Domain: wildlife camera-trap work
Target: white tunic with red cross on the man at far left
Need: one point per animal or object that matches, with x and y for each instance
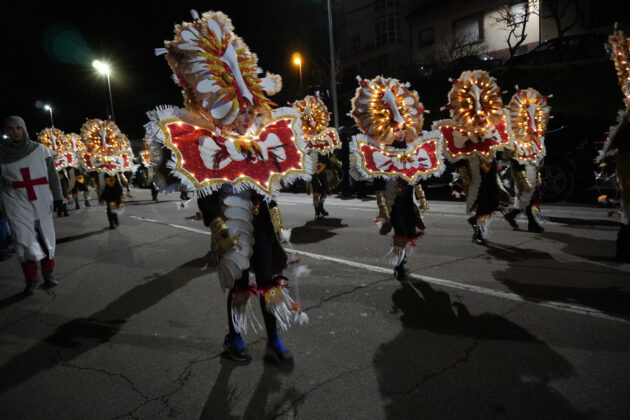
(28, 204)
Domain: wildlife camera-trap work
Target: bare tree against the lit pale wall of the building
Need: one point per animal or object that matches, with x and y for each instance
(513, 18)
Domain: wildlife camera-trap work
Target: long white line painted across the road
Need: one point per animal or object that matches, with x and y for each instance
(561, 306)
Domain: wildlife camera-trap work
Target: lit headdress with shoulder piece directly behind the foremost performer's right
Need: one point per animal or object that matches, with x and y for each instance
(314, 120)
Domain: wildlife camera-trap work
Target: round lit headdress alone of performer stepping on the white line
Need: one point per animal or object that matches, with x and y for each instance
(381, 104)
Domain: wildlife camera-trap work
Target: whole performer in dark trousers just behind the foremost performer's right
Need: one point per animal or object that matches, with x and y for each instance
(321, 141)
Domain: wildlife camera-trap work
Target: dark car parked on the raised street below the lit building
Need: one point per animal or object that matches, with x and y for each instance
(569, 48)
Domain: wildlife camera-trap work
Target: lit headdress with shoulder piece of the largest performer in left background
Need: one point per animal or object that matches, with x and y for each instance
(107, 149)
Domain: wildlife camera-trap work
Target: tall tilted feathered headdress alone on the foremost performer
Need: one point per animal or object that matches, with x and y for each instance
(217, 71)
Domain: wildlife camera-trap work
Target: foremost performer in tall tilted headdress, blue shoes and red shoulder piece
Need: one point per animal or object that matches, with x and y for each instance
(235, 168)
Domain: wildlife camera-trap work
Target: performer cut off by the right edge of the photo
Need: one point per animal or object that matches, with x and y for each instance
(618, 142)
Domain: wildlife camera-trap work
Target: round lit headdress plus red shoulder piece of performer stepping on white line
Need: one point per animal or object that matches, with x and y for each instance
(379, 107)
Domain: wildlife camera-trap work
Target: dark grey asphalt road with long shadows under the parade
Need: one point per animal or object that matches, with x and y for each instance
(533, 326)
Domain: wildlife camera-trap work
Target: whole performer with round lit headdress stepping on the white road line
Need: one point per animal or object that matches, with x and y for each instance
(394, 152)
